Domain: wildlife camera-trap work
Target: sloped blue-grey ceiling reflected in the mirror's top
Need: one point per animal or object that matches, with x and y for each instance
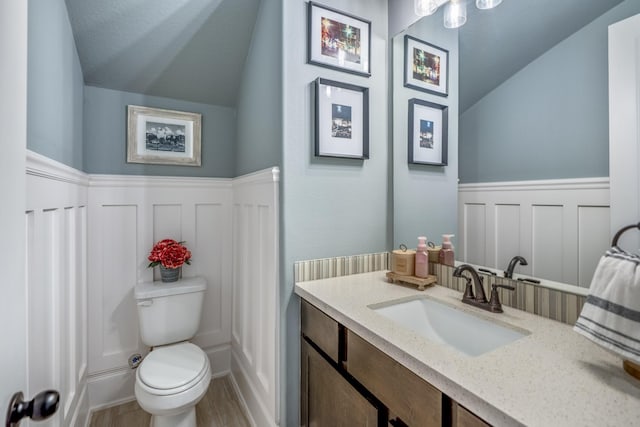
(495, 44)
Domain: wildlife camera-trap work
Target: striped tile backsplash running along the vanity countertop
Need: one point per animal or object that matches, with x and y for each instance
(553, 304)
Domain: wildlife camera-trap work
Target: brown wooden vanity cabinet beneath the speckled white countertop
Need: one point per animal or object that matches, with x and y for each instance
(346, 381)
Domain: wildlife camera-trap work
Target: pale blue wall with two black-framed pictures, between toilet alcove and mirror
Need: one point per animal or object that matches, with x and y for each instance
(331, 207)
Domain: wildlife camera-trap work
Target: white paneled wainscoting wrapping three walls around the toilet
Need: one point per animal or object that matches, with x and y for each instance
(88, 238)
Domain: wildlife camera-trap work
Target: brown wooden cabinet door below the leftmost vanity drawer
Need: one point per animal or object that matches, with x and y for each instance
(327, 399)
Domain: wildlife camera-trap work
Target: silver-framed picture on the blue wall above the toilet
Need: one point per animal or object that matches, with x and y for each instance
(163, 137)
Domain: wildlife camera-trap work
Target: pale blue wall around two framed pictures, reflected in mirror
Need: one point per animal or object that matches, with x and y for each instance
(424, 197)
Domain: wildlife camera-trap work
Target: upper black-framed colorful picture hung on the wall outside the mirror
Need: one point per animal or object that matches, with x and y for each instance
(338, 40)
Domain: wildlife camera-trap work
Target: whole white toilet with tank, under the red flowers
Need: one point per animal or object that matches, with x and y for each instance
(175, 375)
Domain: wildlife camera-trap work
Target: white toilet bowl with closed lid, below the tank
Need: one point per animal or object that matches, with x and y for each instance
(170, 381)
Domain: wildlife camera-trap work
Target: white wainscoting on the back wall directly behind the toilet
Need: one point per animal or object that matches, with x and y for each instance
(127, 214)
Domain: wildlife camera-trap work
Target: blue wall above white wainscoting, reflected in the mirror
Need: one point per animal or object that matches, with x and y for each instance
(551, 119)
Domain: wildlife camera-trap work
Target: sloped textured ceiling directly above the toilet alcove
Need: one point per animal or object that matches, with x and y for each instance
(192, 50)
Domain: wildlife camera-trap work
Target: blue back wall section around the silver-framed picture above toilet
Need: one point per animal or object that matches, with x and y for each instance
(105, 135)
